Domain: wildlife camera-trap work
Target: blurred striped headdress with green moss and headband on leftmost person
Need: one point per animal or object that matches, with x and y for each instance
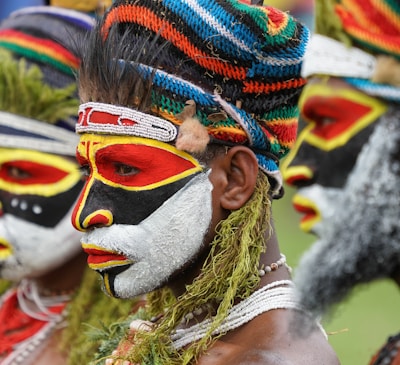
(45, 38)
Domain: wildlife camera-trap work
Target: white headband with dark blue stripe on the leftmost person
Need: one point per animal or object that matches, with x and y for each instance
(21, 132)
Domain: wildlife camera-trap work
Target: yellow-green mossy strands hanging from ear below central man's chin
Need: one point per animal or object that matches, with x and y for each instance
(229, 273)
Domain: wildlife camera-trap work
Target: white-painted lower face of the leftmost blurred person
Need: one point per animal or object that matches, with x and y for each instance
(28, 250)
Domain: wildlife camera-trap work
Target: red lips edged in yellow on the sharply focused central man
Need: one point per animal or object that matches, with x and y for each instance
(101, 259)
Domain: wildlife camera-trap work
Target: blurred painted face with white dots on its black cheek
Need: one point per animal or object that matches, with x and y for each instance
(36, 193)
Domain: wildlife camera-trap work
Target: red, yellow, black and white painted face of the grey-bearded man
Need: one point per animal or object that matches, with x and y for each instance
(339, 120)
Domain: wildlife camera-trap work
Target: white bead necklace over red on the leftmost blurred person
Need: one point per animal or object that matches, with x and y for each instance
(28, 291)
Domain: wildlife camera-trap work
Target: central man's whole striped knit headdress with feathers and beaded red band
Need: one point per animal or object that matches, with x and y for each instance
(221, 72)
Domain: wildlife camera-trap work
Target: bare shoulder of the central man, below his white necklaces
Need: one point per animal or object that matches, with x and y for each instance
(279, 337)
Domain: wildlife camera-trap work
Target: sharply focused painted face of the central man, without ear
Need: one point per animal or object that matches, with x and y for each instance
(148, 241)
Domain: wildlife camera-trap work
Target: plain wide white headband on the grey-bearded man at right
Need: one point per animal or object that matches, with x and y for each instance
(327, 56)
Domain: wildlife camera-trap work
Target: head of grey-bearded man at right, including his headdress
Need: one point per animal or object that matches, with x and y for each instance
(345, 163)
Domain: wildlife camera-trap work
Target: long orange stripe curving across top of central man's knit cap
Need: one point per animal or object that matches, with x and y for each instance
(145, 17)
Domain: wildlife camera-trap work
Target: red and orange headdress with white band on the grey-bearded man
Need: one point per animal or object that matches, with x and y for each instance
(359, 41)
